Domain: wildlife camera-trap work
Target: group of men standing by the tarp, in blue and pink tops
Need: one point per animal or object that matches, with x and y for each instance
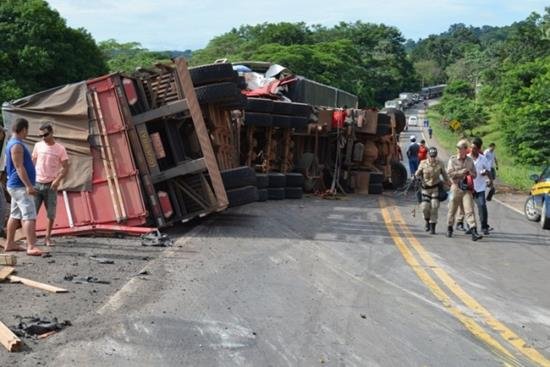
(32, 180)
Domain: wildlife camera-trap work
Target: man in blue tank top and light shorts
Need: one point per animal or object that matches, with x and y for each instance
(21, 181)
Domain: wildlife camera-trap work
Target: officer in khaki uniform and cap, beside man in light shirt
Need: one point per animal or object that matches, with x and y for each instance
(461, 169)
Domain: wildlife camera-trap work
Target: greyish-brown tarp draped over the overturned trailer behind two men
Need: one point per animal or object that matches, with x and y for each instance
(67, 108)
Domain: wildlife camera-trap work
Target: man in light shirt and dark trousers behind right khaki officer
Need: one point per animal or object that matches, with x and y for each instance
(483, 170)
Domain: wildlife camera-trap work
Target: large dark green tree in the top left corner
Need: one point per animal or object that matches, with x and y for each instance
(38, 50)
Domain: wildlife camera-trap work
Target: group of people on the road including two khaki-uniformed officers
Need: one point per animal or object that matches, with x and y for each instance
(469, 174)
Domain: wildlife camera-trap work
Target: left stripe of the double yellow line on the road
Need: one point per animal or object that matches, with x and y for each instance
(440, 294)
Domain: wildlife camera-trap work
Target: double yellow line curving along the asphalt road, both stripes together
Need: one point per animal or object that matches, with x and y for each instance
(393, 220)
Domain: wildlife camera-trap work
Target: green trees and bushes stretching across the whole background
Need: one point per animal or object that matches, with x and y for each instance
(498, 77)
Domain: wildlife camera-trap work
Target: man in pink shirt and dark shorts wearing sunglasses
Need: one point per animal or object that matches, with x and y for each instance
(51, 162)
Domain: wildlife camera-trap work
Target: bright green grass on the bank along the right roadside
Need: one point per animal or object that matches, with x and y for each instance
(509, 173)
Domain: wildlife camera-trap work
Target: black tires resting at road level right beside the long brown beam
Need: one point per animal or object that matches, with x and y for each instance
(240, 185)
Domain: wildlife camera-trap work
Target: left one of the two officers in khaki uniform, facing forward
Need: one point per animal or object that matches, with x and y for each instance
(430, 172)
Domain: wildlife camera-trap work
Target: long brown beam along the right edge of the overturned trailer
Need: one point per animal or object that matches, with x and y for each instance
(202, 133)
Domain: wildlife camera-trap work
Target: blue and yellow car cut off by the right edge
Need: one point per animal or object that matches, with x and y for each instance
(537, 205)
